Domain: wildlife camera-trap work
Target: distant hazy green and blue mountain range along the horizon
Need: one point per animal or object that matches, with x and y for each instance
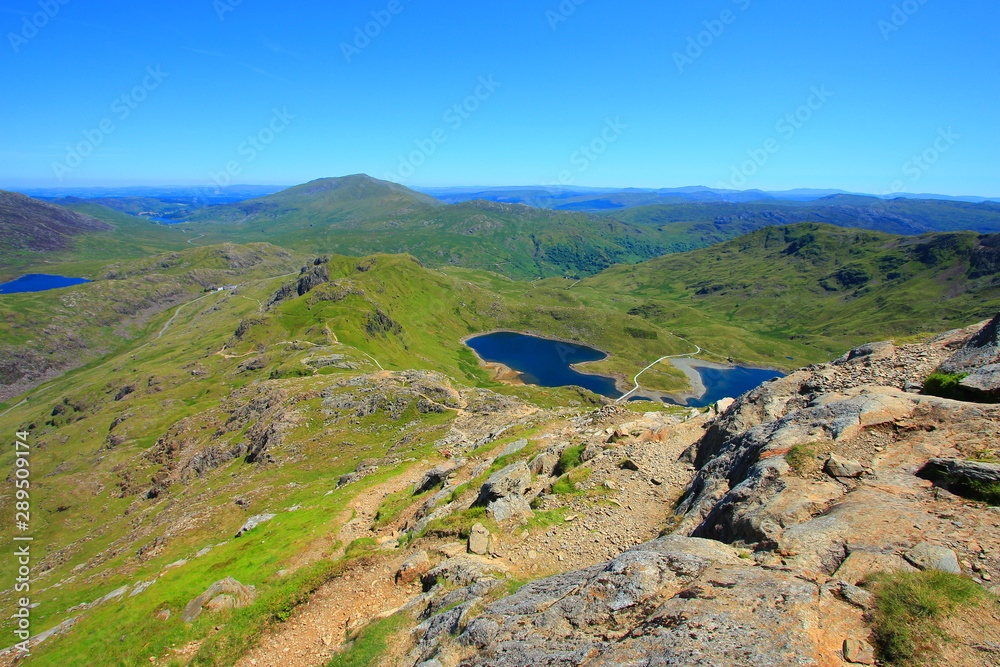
(580, 236)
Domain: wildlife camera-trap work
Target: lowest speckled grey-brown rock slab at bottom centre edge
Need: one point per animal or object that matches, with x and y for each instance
(682, 600)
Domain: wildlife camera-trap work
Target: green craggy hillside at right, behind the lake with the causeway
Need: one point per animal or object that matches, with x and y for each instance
(816, 283)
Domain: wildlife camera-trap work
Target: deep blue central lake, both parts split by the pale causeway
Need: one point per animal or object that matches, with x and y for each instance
(546, 363)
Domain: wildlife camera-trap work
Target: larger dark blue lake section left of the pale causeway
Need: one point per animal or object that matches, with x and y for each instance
(543, 362)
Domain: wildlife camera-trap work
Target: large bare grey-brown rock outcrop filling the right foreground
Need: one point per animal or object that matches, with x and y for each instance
(802, 489)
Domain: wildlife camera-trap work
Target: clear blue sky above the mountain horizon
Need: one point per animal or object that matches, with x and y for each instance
(862, 95)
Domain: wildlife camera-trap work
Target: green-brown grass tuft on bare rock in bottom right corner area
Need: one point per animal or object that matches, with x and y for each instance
(910, 607)
